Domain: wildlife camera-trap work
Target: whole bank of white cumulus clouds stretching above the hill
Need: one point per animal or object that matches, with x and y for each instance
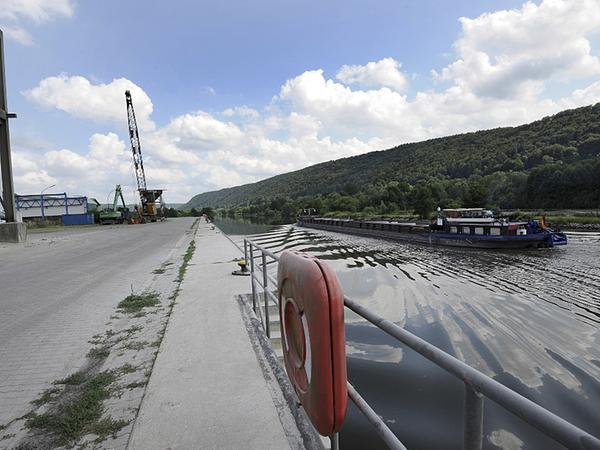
(504, 63)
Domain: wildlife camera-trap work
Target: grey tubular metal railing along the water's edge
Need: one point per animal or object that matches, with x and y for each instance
(477, 385)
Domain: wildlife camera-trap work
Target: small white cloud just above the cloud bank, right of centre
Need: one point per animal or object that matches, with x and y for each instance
(385, 72)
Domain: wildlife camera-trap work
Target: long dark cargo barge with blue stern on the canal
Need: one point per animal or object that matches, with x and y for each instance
(463, 227)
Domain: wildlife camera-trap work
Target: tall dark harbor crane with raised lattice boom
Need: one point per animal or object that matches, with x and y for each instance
(148, 197)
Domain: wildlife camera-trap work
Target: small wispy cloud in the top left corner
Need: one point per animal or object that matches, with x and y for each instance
(14, 12)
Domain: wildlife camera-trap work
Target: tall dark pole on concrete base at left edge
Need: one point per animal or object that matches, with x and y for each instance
(10, 231)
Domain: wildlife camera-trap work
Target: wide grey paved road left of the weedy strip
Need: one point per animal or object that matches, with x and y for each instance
(59, 289)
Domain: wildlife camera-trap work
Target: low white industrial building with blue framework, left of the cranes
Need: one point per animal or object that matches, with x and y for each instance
(55, 208)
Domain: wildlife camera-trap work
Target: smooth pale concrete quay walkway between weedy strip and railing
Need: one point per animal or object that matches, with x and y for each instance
(207, 388)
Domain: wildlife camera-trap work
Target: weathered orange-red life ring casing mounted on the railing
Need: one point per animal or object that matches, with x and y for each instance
(311, 311)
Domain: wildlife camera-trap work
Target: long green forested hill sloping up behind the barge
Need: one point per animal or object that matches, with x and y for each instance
(550, 162)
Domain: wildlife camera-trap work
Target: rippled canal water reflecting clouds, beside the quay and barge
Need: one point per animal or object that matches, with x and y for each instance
(529, 319)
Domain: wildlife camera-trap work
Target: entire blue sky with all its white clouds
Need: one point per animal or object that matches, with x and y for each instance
(233, 92)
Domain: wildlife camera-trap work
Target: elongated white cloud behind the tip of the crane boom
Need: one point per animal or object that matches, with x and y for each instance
(77, 96)
